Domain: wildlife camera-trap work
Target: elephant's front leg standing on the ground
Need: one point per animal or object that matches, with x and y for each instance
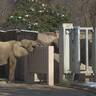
(12, 67)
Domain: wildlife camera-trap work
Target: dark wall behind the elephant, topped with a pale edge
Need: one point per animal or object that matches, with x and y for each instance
(15, 34)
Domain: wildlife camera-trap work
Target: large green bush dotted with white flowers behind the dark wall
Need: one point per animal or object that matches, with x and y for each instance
(38, 15)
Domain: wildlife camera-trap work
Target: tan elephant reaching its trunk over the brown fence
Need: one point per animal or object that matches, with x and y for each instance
(11, 50)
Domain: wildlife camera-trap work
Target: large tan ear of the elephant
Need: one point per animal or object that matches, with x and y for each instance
(18, 50)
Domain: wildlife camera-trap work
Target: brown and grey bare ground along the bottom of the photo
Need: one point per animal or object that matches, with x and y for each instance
(39, 90)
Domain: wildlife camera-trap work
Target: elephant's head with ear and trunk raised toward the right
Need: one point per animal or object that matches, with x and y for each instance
(23, 47)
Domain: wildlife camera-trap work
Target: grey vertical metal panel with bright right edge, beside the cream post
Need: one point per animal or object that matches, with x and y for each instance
(75, 52)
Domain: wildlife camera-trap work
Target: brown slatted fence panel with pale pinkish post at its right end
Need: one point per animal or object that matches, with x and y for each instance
(41, 62)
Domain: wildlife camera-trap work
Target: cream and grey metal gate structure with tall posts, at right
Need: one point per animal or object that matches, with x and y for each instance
(70, 49)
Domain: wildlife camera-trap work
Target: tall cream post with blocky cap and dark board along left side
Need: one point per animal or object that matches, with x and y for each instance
(64, 50)
